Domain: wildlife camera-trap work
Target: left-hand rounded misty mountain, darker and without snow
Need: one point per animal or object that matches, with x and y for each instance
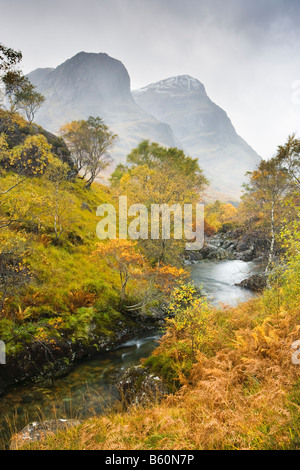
(97, 85)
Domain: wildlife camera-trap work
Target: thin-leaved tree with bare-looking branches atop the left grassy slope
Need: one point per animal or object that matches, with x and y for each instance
(89, 143)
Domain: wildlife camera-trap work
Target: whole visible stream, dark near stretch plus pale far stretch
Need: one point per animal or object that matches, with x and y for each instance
(90, 387)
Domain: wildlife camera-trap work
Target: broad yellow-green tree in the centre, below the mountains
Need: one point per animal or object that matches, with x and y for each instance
(166, 178)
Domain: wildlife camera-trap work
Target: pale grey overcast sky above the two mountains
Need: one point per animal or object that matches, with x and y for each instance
(245, 52)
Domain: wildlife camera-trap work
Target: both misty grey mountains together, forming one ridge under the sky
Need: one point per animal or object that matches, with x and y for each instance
(173, 112)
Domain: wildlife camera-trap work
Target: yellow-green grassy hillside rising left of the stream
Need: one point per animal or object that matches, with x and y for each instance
(57, 298)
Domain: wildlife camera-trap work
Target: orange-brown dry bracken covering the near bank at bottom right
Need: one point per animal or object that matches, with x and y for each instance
(236, 399)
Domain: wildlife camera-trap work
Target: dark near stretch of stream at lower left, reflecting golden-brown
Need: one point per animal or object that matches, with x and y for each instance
(88, 390)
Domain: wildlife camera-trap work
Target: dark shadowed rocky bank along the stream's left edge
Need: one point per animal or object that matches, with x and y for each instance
(40, 363)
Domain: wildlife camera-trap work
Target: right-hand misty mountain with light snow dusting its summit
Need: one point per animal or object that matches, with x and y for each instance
(203, 129)
